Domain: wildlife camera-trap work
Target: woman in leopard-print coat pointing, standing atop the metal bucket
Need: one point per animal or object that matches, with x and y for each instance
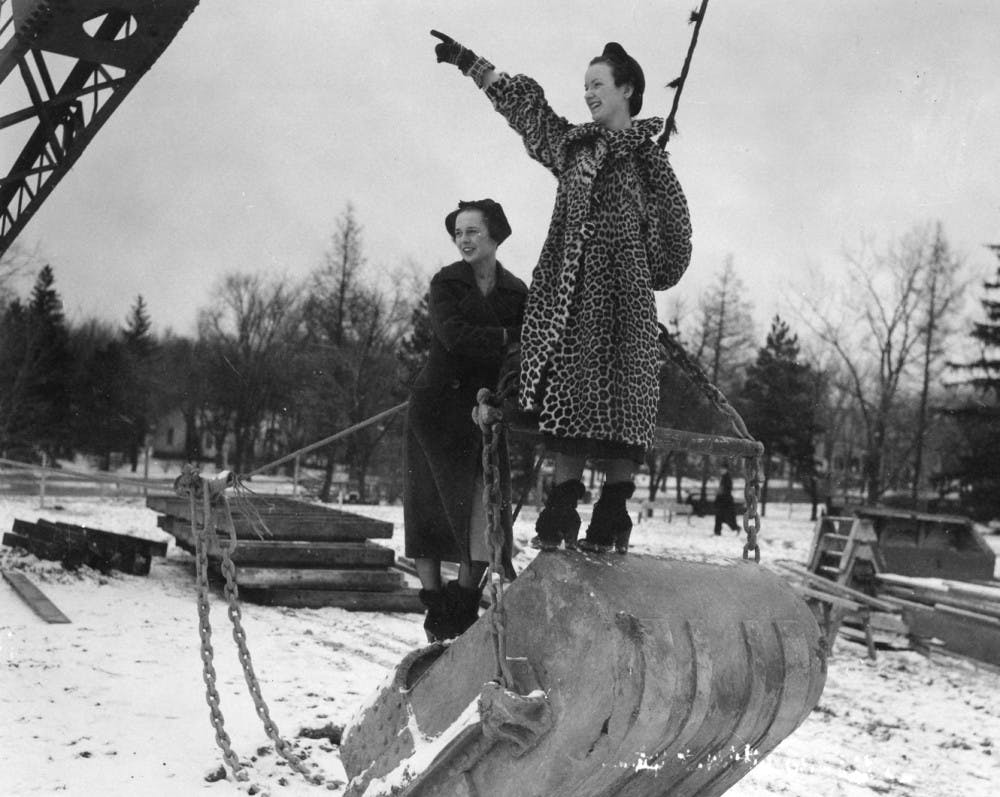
(620, 230)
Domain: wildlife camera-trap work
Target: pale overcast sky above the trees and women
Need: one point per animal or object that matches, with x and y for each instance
(804, 125)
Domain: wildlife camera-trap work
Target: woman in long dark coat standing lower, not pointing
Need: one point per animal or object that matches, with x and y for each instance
(476, 309)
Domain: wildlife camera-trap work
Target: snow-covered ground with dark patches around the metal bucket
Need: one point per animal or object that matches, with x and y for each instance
(114, 702)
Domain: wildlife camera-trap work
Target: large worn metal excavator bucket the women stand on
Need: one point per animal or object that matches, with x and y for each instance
(633, 675)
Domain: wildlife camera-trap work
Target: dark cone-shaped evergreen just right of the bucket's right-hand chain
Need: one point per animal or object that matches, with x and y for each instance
(777, 404)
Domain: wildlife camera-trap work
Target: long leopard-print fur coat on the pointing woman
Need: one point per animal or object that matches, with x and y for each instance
(620, 230)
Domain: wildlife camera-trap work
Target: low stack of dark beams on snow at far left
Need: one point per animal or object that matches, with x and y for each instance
(74, 546)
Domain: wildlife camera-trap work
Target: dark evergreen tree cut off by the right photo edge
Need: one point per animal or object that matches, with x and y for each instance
(978, 417)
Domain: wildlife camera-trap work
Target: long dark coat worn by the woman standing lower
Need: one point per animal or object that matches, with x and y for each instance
(443, 446)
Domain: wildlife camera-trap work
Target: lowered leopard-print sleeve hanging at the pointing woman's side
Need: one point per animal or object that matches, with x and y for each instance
(669, 233)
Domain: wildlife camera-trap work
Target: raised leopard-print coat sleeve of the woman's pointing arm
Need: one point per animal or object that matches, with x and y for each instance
(521, 101)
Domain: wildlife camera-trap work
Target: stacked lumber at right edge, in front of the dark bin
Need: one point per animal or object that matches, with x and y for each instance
(956, 616)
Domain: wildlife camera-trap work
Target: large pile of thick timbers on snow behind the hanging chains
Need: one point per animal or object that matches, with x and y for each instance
(310, 556)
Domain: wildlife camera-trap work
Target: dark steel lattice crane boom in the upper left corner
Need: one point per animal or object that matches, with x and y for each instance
(77, 61)
